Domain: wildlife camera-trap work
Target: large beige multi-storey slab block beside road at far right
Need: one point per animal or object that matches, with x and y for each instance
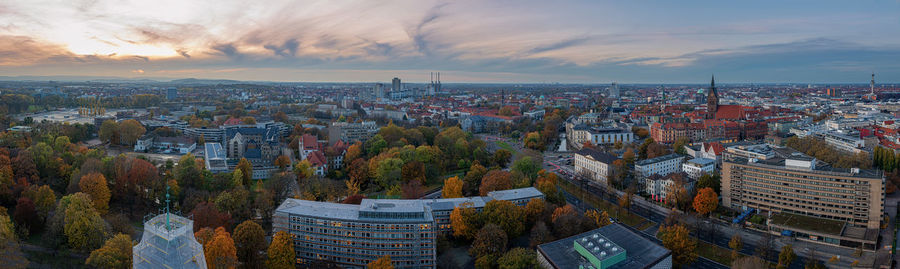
(807, 199)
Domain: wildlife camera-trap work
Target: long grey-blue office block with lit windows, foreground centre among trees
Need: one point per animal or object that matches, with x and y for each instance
(351, 236)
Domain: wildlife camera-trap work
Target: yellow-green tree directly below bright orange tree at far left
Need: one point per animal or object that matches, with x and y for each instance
(84, 229)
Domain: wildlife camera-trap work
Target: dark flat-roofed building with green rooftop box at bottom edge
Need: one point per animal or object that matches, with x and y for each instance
(612, 246)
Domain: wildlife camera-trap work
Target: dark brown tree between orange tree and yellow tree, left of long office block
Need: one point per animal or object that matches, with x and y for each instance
(250, 241)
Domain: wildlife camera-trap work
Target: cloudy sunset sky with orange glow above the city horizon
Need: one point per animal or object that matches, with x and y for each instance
(466, 40)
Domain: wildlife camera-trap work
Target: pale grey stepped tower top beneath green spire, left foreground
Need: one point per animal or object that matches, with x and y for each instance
(168, 242)
